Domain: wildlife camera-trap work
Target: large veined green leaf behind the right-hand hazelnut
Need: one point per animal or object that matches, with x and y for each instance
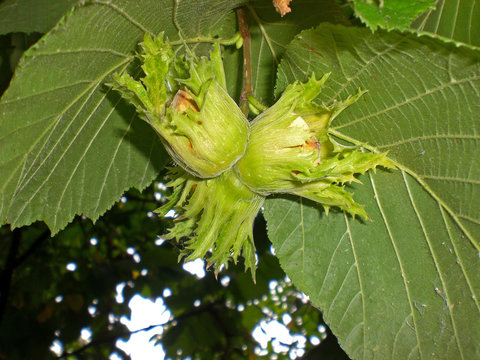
(406, 285)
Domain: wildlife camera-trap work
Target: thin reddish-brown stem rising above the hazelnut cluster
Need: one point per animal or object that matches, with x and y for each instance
(247, 60)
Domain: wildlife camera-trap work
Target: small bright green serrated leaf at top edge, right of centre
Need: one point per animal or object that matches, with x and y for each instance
(391, 14)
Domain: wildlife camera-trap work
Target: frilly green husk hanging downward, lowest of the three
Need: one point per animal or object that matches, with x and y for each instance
(214, 215)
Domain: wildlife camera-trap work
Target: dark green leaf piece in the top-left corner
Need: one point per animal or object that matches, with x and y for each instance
(31, 15)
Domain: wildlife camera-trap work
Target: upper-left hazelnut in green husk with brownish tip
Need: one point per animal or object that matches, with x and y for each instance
(183, 97)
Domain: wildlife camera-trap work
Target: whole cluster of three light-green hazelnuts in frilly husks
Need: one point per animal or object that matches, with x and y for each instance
(226, 165)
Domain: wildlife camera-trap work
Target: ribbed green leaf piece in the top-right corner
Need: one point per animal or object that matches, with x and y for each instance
(453, 19)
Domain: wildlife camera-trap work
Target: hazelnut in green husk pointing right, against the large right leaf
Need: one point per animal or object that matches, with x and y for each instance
(290, 150)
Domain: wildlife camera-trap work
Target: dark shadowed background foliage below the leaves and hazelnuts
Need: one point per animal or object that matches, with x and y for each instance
(34, 275)
